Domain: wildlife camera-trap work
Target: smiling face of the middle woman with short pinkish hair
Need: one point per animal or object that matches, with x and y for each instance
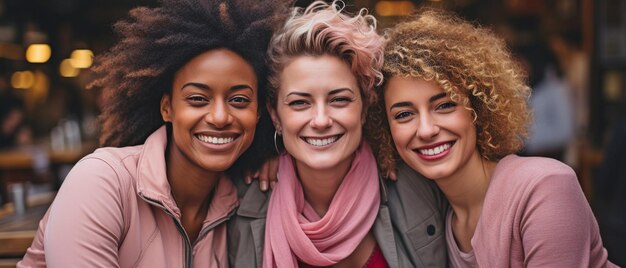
(319, 112)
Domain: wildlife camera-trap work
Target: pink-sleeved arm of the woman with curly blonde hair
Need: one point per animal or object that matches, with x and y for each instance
(558, 228)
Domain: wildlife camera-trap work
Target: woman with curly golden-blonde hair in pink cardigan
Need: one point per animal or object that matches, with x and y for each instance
(456, 107)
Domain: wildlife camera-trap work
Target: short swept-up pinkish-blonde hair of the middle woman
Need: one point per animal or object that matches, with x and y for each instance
(322, 29)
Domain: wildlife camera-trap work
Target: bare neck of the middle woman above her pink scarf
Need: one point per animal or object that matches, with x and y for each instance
(320, 185)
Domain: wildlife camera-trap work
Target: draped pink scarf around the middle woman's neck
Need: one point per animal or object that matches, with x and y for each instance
(295, 232)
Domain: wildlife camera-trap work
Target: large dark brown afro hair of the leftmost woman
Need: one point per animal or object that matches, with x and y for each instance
(156, 42)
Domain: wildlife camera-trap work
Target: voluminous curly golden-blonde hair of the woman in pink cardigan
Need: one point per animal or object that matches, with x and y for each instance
(469, 63)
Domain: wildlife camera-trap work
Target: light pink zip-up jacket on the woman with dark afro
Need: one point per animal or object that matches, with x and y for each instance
(115, 209)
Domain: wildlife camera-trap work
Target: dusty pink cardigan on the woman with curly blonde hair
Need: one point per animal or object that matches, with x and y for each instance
(535, 215)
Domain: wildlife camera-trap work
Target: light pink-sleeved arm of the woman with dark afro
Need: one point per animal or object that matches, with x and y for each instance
(85, 223)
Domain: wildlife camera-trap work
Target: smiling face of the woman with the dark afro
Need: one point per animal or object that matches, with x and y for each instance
(213, 110)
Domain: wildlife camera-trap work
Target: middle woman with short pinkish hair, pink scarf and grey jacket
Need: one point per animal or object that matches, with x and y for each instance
(329, 207)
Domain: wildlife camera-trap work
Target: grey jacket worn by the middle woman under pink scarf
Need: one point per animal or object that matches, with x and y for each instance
(409, 227)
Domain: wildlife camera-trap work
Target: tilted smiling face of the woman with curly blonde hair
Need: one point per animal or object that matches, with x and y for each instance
(433, 135)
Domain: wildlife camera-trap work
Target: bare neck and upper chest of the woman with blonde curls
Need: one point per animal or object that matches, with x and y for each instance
(466, 188)
